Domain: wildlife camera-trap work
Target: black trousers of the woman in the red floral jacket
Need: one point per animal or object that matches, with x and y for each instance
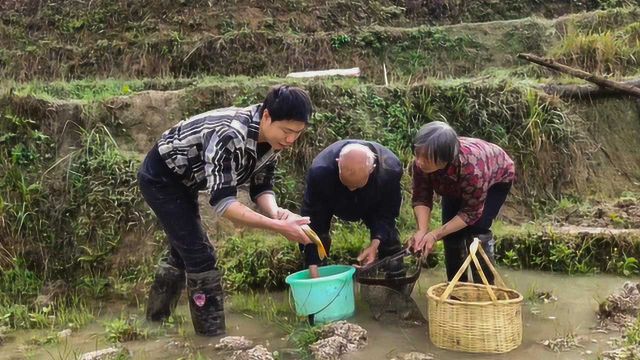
(456, 245)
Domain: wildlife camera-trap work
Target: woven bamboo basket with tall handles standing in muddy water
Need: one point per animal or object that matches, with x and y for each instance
(479, 318)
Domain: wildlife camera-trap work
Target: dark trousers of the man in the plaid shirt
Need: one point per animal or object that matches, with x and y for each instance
(176, 207)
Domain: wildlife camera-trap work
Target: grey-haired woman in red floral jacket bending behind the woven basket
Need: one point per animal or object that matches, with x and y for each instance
(473, 178)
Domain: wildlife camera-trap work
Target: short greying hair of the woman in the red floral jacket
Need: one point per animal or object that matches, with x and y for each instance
(438, 142)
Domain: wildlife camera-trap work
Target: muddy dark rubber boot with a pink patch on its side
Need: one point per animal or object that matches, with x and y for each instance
(206, 303)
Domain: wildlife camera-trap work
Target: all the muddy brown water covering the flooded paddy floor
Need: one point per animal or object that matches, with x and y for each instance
(574, 312)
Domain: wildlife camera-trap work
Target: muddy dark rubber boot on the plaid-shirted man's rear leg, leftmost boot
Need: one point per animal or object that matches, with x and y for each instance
(165, 292)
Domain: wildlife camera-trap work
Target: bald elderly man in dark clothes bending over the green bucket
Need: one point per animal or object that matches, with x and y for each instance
(354, 180)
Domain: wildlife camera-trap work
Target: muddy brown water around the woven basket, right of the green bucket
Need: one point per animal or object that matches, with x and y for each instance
(574, 312)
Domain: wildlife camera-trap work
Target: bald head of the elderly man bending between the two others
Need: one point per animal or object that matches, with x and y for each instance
(355, 164)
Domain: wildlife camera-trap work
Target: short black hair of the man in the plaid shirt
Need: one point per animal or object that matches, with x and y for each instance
(287, 103)
